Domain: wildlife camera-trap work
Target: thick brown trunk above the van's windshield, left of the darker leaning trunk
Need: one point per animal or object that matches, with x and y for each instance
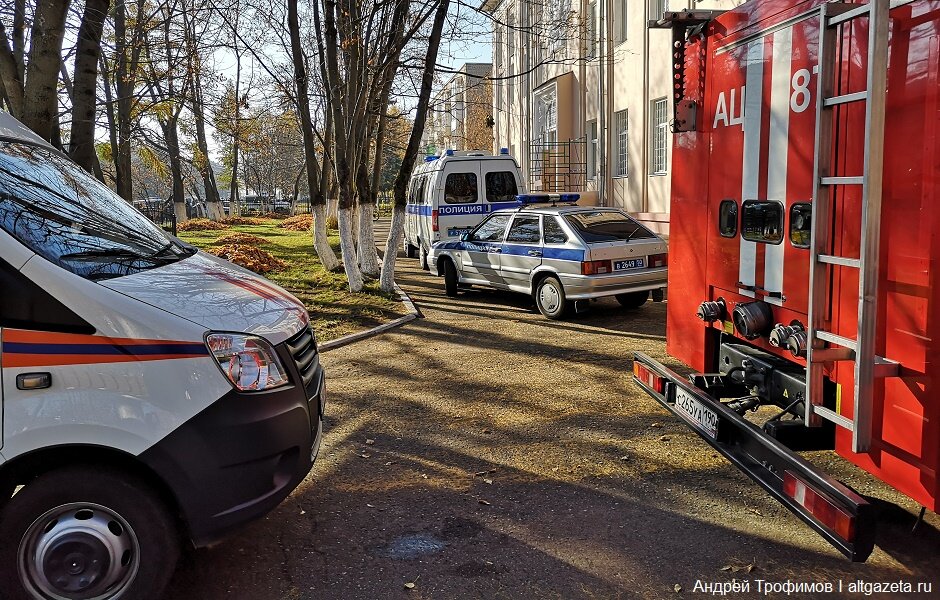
(40, 99)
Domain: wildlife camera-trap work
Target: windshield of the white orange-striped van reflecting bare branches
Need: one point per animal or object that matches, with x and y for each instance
(68, 217)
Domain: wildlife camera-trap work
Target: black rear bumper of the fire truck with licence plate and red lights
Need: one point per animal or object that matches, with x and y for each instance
(842, 517)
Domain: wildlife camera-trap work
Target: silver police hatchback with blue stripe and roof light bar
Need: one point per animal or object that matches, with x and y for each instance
(559, 254)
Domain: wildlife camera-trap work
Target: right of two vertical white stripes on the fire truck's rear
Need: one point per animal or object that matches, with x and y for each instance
(779, 146)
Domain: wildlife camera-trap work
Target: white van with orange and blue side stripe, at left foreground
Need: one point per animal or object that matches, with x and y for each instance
(151, 393)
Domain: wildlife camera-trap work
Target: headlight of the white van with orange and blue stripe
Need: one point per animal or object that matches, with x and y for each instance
(248, 361)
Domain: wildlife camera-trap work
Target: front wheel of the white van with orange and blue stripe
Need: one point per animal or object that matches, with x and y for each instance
(128, 512)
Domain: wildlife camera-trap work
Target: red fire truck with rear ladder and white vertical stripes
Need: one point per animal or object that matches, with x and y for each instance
(804, 225)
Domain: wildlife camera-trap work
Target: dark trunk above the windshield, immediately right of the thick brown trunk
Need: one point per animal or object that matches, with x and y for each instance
(85, 87)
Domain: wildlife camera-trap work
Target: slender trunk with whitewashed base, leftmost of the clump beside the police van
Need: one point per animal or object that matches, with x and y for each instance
(328, 257)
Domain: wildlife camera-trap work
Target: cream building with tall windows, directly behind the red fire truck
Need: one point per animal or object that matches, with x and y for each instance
(582, 97)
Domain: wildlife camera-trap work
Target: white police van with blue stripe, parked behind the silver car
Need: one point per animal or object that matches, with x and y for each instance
(449, 195)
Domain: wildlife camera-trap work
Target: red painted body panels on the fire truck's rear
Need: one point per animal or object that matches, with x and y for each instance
(713, 164)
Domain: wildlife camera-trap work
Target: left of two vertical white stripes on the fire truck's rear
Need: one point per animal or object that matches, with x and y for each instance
(754, 83)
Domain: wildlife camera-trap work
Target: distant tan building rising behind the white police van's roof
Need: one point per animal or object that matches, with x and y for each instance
(460, 116)
